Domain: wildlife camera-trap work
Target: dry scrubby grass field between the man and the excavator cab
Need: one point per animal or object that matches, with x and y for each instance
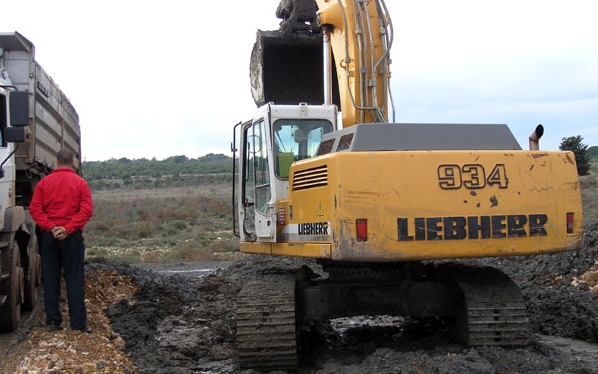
(162, 225)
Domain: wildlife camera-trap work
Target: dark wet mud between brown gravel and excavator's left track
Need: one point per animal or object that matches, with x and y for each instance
(178, 324)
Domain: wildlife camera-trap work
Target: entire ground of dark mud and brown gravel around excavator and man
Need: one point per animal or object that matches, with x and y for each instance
(181, 319)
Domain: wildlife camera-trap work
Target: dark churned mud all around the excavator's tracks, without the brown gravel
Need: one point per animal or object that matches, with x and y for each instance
(183, 321)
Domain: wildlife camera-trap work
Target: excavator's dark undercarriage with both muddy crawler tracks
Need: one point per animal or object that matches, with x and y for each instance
(485, 304)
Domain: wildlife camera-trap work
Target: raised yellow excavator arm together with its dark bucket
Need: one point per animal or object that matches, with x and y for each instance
(295, 65)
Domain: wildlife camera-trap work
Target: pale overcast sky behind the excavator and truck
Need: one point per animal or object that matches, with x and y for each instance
(164, 78)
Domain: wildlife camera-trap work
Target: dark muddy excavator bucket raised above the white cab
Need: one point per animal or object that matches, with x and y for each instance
(287, 68)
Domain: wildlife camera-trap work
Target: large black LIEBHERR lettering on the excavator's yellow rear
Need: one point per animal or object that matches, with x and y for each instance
(472, 227)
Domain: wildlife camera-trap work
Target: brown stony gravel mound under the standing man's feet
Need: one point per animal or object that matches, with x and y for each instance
(35, 349)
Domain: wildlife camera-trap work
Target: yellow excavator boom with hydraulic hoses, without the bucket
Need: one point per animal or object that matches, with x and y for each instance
(359, 34)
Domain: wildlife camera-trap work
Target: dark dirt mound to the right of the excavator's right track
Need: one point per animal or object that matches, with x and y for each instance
(557, 302)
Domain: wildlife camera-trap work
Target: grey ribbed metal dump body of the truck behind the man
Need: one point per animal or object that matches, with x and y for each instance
(53, 121)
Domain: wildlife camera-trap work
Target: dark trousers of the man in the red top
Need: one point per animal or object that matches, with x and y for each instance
(67, 255)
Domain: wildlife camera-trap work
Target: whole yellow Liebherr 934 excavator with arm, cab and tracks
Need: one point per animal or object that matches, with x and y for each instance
(379, 204)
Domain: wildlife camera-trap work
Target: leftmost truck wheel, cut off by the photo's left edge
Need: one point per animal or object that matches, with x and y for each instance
(12, 287)
